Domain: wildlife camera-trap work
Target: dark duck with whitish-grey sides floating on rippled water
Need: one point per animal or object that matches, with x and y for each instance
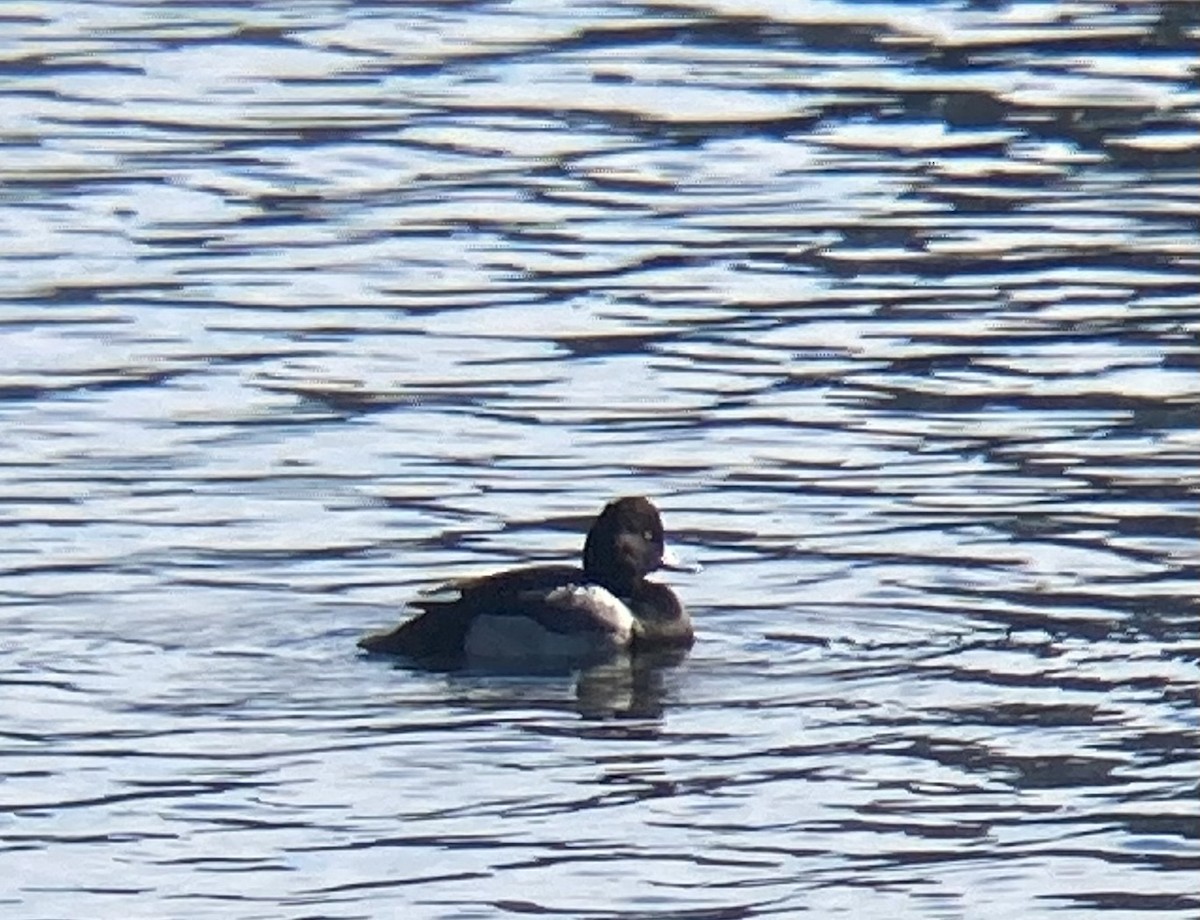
(561, 612)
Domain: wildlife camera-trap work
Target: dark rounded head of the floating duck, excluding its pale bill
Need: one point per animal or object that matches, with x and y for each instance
(625, 545)
